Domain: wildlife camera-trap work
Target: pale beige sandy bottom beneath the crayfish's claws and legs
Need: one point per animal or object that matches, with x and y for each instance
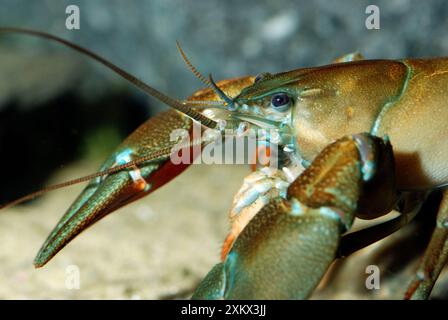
(157, 248)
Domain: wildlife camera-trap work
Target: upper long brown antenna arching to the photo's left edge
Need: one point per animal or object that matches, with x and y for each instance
(182, 107)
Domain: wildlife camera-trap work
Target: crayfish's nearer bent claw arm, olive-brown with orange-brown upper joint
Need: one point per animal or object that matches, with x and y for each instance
(286, 248)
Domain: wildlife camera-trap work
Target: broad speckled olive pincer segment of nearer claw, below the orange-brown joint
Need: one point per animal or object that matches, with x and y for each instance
(278, 249)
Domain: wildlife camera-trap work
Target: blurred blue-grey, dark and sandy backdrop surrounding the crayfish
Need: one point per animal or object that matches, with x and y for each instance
(62, 114)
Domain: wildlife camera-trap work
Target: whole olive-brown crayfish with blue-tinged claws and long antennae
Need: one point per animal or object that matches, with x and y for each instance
(355, 139)
